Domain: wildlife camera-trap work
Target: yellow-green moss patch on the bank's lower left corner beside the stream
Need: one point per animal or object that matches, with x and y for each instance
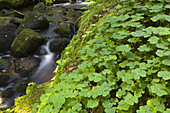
(24, 103)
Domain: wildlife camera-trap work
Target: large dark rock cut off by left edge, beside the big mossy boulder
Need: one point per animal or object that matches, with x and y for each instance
(7, 33)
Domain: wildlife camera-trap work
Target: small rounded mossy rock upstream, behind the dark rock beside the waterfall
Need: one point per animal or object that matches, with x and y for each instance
(63, 29)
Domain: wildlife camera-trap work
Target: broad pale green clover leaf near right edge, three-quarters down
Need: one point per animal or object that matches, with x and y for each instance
(159, 89)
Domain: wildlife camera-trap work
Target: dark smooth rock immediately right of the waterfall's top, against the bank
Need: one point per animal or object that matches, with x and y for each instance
(59, 44)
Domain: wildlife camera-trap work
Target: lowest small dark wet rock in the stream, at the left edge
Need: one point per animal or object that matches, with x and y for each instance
(7, 93)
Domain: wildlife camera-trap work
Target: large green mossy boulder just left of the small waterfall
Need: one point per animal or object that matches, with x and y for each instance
(26, 42)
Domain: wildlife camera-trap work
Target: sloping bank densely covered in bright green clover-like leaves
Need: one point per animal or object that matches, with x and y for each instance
(122, 64)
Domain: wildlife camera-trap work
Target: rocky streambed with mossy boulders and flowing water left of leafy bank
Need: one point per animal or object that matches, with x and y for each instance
(31, 40)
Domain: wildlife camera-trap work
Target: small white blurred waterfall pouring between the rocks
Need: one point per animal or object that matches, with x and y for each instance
(45, 72)
